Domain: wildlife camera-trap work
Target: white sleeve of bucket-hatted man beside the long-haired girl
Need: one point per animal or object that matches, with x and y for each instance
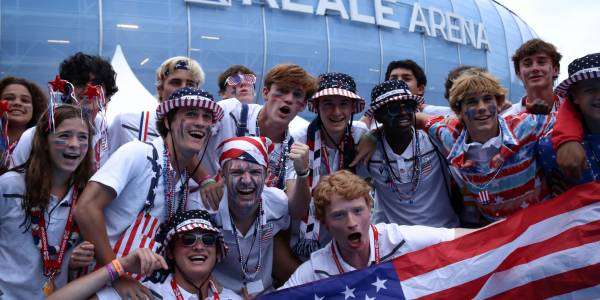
(124, 165)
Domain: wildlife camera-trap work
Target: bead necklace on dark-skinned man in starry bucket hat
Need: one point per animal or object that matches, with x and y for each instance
(395, 180)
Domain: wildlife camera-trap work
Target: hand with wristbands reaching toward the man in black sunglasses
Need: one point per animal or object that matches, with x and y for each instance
(143, 261)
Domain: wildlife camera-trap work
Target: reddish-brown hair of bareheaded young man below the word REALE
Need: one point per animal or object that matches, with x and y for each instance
(289, 76)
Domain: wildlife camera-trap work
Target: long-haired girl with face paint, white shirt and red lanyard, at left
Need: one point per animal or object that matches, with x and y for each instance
(37, 229)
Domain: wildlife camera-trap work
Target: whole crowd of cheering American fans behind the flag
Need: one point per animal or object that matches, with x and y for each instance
(230, 199)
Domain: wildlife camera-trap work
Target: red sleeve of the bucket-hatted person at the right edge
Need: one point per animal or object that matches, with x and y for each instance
(567, 127)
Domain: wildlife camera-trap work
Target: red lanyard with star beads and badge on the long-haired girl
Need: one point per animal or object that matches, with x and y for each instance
(53, 256)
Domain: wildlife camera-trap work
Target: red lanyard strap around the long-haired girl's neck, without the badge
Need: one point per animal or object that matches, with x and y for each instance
(52, 266)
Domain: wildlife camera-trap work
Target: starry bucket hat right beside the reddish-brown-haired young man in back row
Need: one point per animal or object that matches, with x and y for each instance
(336, 84)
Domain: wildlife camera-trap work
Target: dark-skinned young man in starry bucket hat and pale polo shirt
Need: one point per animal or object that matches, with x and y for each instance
(411, 184)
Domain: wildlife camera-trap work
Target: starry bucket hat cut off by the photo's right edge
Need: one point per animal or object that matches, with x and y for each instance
(583, 68)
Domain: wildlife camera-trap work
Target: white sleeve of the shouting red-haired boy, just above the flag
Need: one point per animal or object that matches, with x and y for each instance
(418, 237)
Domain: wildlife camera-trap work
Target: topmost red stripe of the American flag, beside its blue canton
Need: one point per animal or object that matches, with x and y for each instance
(428, 259)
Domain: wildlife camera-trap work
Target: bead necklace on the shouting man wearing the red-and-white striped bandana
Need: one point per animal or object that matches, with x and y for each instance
(246, 274)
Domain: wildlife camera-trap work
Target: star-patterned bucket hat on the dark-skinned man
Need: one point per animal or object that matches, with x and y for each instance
(390, 91)
